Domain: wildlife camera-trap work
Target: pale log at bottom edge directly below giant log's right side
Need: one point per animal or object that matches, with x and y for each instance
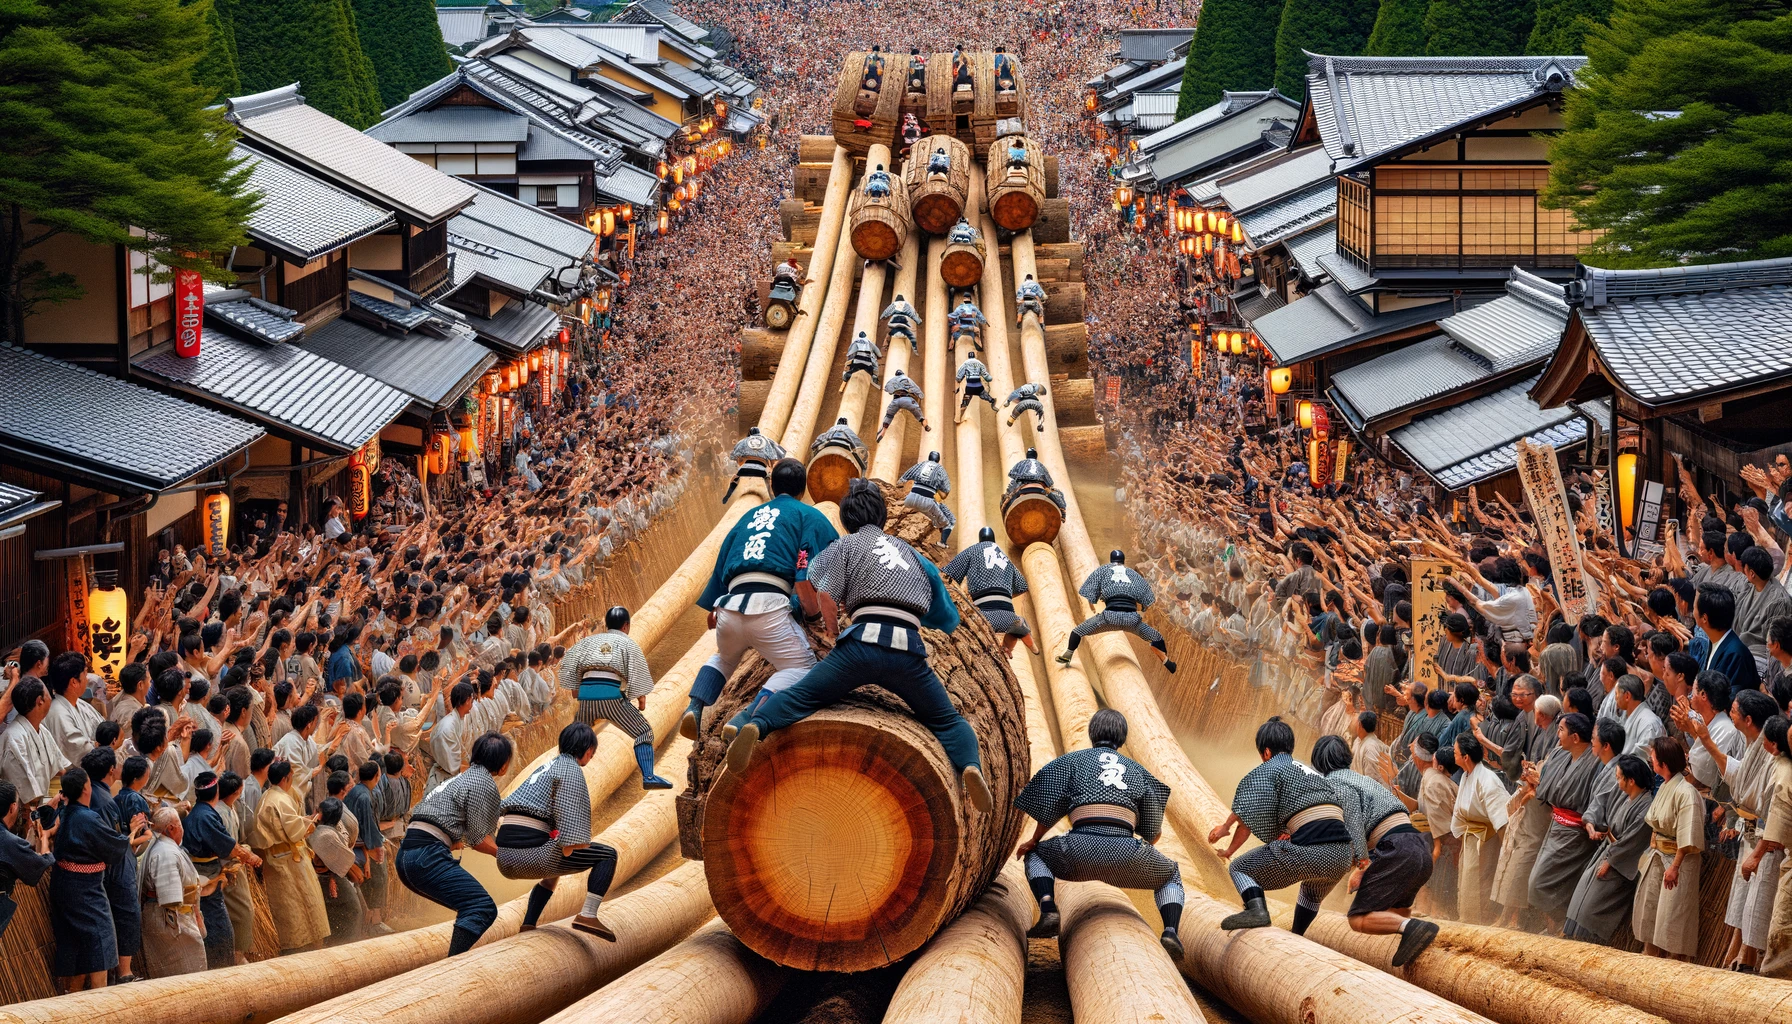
(976, 969)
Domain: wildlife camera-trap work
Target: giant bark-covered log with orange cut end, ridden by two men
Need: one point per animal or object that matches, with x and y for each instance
(847, 844)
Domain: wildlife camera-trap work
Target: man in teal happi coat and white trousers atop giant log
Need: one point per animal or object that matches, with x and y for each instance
(759, 582)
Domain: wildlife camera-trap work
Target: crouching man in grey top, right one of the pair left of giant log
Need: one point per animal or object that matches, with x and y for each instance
(546, 833)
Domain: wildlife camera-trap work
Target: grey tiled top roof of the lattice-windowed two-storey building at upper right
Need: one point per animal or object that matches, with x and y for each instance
(1370, 107)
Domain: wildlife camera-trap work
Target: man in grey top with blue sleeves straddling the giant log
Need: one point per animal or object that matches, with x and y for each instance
(892, 593)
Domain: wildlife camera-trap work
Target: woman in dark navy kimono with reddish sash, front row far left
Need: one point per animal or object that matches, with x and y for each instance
(87, 946)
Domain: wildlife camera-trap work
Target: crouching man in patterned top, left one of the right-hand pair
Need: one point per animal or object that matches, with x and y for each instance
(1309, 837)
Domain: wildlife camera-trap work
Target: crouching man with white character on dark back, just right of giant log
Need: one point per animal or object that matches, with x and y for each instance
(1108, 799)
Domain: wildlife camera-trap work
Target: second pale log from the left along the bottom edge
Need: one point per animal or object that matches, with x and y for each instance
(533, 975)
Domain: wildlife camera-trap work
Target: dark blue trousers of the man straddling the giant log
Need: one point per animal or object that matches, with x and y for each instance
(854, 664)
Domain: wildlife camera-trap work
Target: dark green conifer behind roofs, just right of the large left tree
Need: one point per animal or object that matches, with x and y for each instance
(314, 44)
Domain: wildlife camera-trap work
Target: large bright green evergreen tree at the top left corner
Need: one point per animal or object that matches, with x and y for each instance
(107, 130)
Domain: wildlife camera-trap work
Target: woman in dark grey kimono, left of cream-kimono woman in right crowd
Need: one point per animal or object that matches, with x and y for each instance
(1608, 881)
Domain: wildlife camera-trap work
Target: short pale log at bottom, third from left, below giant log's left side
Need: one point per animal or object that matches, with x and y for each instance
(705, 980)
